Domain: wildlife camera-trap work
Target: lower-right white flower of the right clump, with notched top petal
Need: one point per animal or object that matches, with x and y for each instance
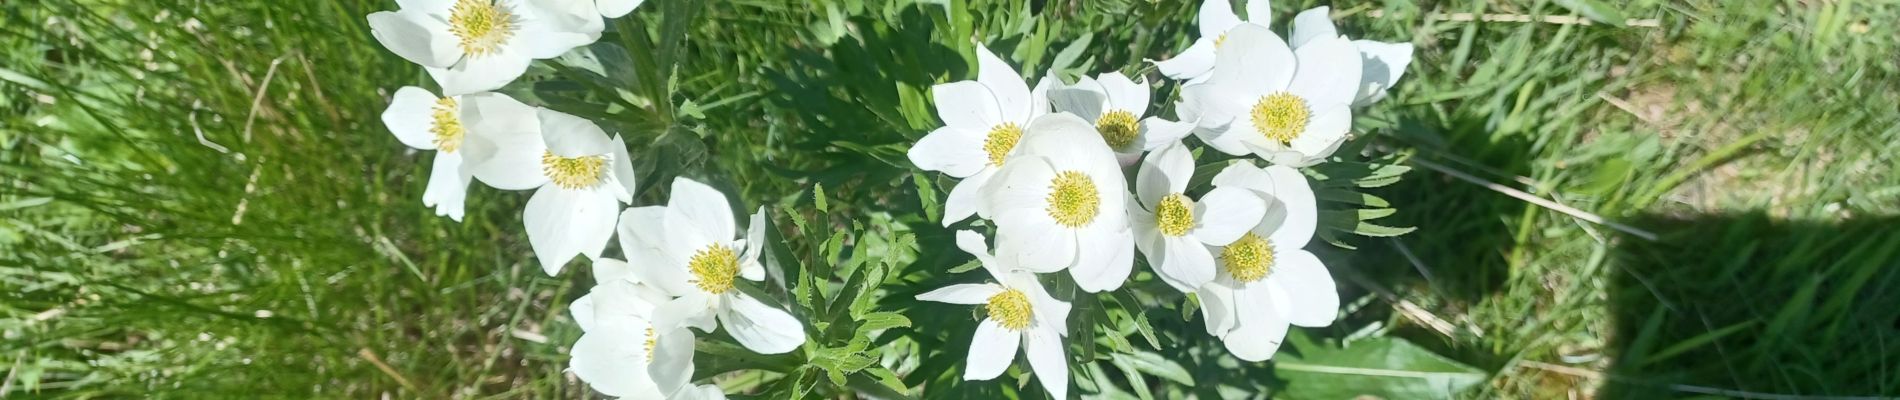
(1266, 280)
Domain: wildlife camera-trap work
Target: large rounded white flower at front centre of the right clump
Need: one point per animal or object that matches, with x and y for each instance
(1063, 204)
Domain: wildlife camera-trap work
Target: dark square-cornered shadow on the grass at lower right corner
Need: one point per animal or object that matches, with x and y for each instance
(1749, 306)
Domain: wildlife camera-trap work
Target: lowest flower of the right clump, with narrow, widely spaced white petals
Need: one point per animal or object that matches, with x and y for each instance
(1021, 316)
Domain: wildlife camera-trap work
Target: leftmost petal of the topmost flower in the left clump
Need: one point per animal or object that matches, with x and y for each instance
(415, 37)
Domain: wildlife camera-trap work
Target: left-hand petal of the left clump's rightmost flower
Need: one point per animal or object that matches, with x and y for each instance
(643, 240)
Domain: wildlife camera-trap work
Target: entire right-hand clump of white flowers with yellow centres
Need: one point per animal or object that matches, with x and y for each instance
(1055, 189)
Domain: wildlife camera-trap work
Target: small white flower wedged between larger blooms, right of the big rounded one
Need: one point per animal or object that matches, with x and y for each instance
(1173, 230)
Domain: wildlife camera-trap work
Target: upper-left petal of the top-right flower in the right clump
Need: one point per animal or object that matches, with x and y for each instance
(1255, 62)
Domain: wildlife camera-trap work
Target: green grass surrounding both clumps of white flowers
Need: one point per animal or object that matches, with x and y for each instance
(212, 209)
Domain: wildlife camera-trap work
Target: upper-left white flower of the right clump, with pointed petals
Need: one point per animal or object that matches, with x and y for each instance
(983, 124)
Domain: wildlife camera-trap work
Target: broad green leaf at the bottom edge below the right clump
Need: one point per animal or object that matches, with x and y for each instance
(1378, 367)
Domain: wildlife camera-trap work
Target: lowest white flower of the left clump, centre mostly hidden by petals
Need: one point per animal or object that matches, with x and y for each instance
(622, 354)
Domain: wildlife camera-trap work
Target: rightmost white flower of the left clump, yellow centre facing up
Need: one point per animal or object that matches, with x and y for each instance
(691, 249)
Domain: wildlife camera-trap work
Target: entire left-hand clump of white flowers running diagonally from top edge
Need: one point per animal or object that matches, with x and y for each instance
(685, 261)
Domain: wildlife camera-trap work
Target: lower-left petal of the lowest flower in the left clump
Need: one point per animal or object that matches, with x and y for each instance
(613, 363)
